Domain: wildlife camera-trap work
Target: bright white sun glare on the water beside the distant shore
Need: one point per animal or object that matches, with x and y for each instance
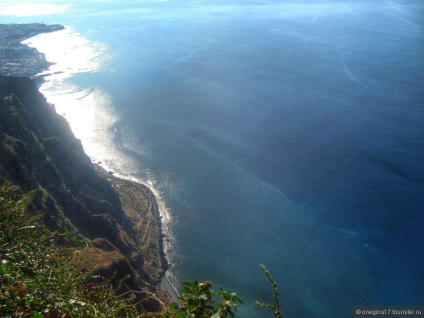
(85, 108)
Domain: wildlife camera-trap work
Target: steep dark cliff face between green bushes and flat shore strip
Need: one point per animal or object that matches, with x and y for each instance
(38, 152)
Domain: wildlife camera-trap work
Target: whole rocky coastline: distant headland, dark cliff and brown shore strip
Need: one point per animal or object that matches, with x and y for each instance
(40, 154)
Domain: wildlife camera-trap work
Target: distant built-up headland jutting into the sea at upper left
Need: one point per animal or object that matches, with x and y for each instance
(18, 59)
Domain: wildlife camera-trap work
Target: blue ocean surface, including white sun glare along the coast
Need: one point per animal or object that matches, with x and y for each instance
(283, 133)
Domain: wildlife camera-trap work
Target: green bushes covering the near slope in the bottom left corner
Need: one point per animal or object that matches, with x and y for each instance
(37, 278)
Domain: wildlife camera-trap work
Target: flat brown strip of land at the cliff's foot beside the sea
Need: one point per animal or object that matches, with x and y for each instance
(141, 207)
